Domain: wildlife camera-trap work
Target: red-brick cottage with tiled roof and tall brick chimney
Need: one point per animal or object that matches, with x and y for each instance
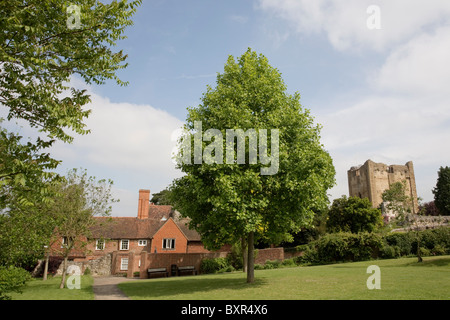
(129, 244)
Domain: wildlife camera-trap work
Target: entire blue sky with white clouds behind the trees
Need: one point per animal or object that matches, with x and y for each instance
(380, 94)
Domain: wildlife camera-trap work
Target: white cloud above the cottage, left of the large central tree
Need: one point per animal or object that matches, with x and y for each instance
(129, 143)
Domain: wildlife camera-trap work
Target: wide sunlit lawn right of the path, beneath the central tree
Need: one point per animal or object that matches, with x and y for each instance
(400, 279)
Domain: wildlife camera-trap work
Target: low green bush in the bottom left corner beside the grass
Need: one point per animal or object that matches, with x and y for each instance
(12, 279)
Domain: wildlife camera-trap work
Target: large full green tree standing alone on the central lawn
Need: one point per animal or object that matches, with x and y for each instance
(240, 193)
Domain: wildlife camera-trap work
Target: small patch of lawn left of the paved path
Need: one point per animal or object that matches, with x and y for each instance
(37, 289)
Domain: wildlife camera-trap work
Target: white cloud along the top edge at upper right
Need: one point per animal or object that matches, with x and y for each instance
(344, 22)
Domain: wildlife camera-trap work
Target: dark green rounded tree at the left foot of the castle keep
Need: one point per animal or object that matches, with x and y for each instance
(354, 215)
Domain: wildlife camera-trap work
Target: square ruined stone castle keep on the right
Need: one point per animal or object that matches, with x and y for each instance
(371, 179)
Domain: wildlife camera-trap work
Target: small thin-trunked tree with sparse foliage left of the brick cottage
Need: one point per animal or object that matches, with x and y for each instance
(80, 198)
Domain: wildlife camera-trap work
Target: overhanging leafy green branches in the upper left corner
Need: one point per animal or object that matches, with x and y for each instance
(43, 45)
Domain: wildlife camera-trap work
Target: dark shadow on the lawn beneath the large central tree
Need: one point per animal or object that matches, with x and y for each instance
(187, 287)
